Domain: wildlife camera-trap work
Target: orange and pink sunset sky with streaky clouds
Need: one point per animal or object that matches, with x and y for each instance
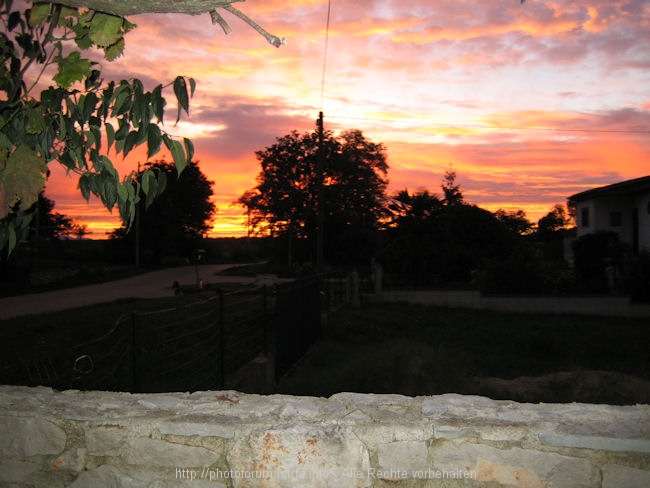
(528, 104)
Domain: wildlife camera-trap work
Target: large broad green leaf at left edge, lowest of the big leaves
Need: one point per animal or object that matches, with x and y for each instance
(22, 179)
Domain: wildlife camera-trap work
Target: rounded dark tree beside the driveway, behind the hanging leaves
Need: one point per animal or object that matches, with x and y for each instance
(177, 219)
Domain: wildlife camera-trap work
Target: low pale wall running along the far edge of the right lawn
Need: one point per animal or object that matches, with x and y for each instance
(584, 305)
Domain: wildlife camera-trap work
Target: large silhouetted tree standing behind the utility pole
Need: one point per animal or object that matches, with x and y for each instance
(285, 200)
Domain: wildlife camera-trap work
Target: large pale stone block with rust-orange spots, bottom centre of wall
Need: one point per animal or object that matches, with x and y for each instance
(300, 454)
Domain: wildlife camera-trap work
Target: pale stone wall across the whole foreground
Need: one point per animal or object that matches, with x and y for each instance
(225, 438)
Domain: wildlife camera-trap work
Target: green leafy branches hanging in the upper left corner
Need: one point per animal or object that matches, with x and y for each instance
(80, 120)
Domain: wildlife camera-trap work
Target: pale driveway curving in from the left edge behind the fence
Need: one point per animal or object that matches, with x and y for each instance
(148, 285)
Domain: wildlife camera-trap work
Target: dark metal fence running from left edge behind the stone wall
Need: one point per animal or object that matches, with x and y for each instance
(193, 347)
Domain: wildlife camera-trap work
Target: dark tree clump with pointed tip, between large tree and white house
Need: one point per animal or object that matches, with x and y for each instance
(443, 242)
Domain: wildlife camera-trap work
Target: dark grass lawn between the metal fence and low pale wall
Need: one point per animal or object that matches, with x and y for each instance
(419, 350)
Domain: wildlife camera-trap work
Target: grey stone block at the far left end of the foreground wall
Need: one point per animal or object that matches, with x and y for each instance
(29, 436)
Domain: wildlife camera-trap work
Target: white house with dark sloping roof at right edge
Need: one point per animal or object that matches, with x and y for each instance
(622, 207)
